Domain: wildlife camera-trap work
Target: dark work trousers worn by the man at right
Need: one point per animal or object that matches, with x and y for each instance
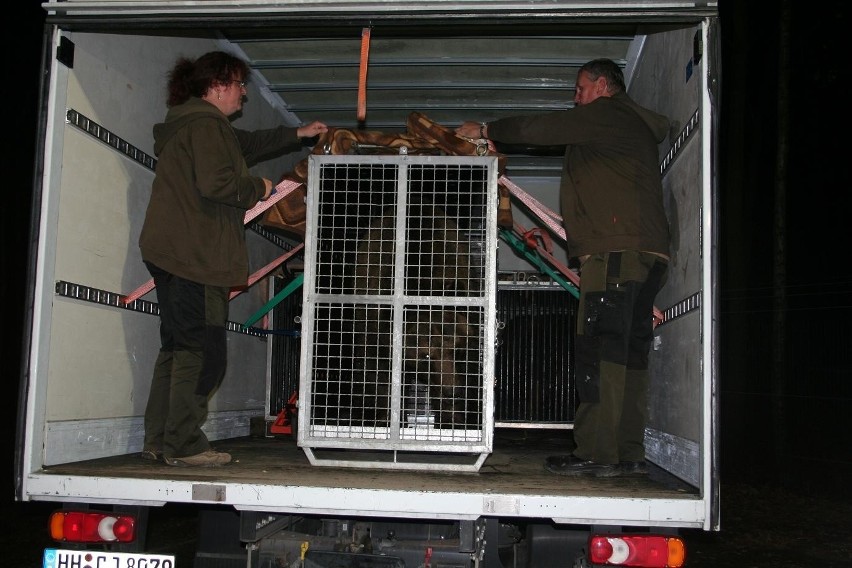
(613, 338)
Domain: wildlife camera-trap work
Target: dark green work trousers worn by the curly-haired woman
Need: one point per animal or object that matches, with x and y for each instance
(190, 365)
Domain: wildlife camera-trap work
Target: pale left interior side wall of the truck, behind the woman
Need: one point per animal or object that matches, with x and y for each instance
(95, 245)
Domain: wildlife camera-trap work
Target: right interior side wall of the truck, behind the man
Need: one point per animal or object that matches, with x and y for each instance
(677, 396)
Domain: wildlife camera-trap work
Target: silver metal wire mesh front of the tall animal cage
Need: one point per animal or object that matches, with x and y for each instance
(398, 328)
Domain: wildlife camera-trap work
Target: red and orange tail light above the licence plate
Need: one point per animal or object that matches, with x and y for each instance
(92, 526)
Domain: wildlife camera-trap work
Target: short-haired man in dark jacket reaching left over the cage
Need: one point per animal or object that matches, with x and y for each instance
(612, 205)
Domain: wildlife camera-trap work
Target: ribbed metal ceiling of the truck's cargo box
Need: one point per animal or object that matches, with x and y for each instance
(464, 60)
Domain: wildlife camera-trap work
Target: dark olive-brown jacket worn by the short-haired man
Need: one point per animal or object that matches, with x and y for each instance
(611, 192)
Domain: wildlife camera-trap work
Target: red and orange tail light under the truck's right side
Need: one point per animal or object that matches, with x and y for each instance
(645, 551)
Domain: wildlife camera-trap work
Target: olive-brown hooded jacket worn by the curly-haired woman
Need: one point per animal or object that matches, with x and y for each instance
(202, 189)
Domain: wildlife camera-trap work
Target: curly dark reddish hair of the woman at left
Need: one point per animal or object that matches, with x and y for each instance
(190, 78)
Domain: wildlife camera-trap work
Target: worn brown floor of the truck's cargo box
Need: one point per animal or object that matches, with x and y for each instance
(516, 466)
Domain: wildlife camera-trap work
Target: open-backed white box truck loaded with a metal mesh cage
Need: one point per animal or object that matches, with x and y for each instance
(316, 480)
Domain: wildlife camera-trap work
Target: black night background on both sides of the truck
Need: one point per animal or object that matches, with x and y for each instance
(782, 170)
